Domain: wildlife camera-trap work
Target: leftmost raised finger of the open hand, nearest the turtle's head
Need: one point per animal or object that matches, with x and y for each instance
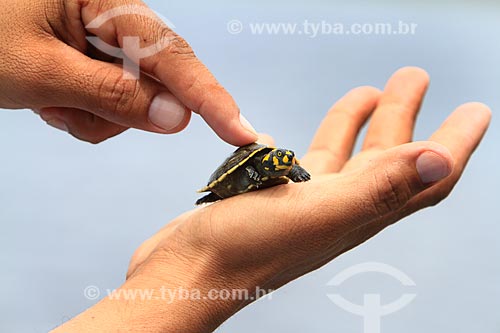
(334, 141)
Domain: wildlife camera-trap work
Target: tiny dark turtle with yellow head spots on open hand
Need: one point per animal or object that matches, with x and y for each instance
(251, 168)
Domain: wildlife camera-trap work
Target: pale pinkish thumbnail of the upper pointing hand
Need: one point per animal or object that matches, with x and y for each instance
(166, 111)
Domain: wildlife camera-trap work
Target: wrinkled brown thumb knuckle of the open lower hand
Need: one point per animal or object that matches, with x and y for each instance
(389, 194)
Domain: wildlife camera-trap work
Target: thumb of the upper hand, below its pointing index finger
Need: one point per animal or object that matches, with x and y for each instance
(78, 82)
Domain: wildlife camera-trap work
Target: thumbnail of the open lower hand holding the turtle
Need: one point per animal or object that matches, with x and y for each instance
(432, 167)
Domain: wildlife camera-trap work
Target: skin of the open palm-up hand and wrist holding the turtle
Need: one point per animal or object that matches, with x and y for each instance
(287, 231)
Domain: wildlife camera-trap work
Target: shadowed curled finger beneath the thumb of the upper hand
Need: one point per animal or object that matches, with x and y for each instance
(81, 124)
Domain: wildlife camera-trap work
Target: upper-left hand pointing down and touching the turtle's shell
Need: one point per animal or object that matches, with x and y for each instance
(47, 65)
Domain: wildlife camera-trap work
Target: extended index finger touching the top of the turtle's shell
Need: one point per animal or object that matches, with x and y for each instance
(174, 63)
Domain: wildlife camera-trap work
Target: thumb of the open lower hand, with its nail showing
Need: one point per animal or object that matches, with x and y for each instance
(391, 180)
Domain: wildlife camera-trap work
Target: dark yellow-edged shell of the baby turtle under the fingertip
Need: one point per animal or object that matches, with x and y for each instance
(233, 163)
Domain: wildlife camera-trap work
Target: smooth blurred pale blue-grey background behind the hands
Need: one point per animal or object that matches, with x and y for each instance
(72, 213)
